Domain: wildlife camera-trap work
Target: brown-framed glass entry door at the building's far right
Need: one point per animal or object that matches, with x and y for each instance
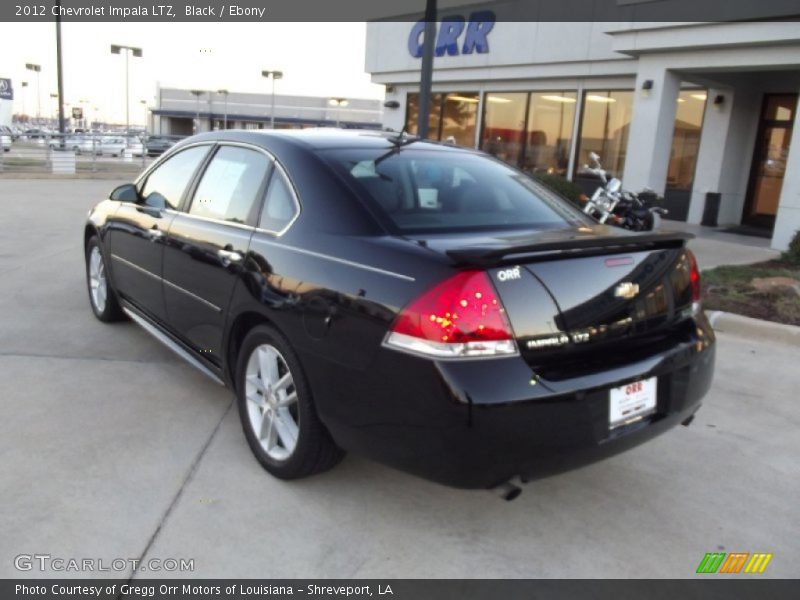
(769, 160)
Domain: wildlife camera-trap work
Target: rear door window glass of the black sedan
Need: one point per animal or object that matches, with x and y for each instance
(230, 185)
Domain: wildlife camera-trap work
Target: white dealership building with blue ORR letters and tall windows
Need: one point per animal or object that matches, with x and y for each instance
(702, 112)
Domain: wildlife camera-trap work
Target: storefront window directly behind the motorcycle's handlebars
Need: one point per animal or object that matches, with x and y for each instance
(605, 126)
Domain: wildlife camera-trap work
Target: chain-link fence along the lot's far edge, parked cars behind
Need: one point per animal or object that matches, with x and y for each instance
(80, 154)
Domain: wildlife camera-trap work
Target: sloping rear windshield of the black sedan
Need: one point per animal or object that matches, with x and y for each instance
(421, 190)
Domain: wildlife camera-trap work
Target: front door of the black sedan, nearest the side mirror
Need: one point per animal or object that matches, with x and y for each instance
(137, 229)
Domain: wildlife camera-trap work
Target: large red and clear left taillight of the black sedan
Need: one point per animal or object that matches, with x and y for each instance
(460, 317)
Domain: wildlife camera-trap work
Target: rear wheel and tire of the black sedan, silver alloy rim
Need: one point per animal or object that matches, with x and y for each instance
(277, 410)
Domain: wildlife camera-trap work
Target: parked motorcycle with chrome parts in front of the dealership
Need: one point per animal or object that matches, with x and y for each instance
(610, 203)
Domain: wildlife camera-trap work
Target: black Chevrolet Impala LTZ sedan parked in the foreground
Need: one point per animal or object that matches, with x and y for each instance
(421, 304)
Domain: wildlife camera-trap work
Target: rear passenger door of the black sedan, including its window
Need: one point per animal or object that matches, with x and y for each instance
(207, 243)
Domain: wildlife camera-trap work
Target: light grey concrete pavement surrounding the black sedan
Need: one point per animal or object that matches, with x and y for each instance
(112, 447)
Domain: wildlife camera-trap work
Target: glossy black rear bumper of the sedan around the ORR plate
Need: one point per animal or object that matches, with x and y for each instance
(478, 423)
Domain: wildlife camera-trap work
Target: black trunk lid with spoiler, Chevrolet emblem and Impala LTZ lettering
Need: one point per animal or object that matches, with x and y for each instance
(570, 294)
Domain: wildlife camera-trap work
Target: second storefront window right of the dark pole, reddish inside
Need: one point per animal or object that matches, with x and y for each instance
(504, 125)
